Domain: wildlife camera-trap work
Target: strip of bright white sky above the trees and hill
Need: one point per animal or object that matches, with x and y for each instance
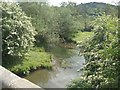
(57, 2)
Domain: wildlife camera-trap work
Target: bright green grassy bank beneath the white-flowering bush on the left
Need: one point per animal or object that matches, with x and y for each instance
(35, 59)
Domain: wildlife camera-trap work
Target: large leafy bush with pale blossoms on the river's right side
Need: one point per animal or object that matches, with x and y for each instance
(101, 54)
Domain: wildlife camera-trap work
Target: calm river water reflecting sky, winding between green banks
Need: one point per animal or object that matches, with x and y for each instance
(66, 66)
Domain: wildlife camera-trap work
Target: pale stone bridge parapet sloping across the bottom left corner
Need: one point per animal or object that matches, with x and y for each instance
(10, 80)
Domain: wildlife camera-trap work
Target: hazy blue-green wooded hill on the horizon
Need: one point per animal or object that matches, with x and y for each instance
(95, 9)
